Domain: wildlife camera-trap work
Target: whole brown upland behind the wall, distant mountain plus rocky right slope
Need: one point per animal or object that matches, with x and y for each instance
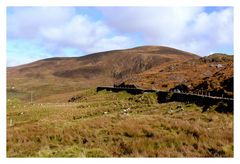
(149, 67)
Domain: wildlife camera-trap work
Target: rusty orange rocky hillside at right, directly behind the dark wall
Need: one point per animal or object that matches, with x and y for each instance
(211, 73)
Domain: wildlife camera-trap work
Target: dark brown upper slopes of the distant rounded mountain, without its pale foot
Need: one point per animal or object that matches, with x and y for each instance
(114, 64)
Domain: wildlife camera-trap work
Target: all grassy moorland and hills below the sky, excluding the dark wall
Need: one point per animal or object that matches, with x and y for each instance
(41, 122)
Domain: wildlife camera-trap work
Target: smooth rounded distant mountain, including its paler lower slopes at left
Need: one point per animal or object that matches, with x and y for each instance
(62, 75)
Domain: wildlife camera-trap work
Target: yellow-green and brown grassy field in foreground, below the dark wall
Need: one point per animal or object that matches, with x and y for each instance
(107, 124)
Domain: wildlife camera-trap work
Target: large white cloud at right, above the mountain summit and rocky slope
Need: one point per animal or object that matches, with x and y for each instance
(190, 28)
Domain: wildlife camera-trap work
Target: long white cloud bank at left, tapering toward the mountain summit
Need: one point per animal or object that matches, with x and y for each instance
(60, 28)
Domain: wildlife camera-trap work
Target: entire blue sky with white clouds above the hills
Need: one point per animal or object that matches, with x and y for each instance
(35, 33)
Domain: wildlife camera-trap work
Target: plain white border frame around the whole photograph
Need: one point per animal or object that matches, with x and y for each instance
(7, 3)
